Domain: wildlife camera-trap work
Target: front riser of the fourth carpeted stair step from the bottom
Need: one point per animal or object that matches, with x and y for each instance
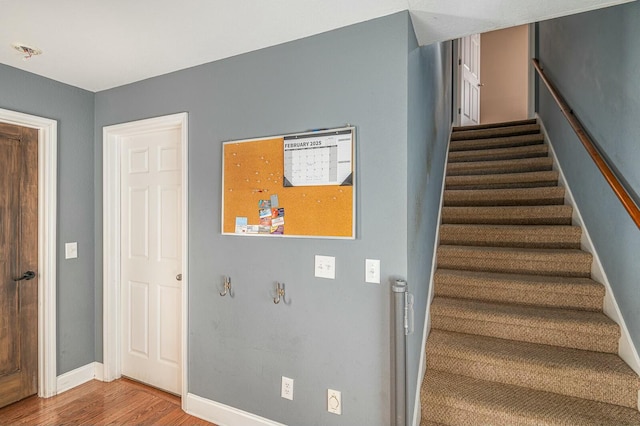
(520, 295)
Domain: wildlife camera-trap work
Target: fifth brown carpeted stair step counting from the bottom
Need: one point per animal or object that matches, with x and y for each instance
(561, 262)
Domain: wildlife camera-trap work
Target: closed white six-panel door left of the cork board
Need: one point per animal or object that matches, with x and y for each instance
(151, 250)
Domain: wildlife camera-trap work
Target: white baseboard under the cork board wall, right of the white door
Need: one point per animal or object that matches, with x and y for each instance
(223, 415)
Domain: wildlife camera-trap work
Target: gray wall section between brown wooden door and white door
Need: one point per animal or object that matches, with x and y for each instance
(72, 108)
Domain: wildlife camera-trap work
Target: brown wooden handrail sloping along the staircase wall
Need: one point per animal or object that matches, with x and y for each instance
(609, 175)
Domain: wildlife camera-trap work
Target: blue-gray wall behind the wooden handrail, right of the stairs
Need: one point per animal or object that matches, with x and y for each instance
(594, 59)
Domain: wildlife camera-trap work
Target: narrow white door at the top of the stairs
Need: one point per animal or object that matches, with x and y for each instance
(470, 76)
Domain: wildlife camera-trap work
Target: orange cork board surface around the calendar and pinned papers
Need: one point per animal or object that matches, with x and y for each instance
(253, 170)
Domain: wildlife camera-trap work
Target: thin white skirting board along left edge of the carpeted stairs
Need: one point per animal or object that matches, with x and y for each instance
(417, 412)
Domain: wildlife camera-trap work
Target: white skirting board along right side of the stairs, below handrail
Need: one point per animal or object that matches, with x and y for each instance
(626, 350)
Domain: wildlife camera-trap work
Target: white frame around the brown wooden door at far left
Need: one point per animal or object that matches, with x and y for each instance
(47, 207)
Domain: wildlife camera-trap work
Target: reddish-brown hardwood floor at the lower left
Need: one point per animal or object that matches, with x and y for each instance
(121, 402)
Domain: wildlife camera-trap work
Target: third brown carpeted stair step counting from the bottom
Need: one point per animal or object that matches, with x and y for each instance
(576, 329)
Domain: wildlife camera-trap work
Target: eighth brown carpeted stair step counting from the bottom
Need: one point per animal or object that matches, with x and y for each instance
(504, 197)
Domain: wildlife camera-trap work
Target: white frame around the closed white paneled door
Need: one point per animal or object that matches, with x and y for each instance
(112, 145)
